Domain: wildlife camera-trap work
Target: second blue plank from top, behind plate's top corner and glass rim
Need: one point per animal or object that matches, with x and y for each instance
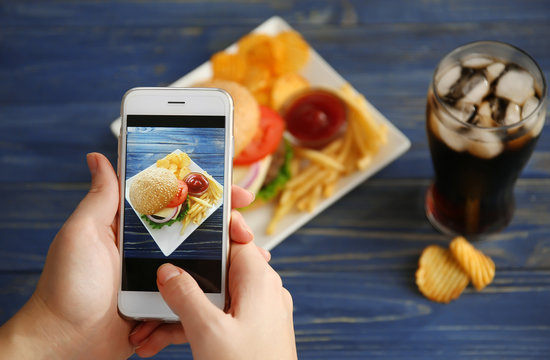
(111, 60)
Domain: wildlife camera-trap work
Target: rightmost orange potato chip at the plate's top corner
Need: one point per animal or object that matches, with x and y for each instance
(291, 52)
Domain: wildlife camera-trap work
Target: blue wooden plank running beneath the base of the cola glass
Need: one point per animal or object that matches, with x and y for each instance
(379, 225)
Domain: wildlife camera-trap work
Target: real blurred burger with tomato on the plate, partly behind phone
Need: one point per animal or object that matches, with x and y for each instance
(262, 156)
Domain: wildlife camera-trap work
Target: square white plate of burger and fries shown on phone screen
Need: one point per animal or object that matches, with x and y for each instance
(172, 198)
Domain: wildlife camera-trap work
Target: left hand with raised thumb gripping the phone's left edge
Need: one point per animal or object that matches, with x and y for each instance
(73, 311)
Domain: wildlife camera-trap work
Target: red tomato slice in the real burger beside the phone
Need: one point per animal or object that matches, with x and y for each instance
(272, 127)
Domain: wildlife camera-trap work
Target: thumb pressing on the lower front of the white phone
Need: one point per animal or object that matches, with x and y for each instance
(186, 299)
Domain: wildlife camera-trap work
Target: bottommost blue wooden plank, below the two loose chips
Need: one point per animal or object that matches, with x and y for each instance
(381, 314)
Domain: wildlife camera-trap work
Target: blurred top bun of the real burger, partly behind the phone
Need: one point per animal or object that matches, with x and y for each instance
(246, 113)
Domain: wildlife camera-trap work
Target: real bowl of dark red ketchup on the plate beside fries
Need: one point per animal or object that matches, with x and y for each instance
(315, 117)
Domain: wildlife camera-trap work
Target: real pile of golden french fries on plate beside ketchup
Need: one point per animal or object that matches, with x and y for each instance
(318, 171)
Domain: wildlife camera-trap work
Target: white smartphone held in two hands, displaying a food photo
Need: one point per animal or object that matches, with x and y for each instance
(175, 166)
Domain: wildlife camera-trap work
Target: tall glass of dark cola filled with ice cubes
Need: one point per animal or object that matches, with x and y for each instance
(486, 107)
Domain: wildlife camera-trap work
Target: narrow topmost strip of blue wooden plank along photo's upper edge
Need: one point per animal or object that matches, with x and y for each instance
(170, 13)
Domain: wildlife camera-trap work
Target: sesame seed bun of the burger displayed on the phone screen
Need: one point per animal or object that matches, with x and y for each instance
(152, 189)
